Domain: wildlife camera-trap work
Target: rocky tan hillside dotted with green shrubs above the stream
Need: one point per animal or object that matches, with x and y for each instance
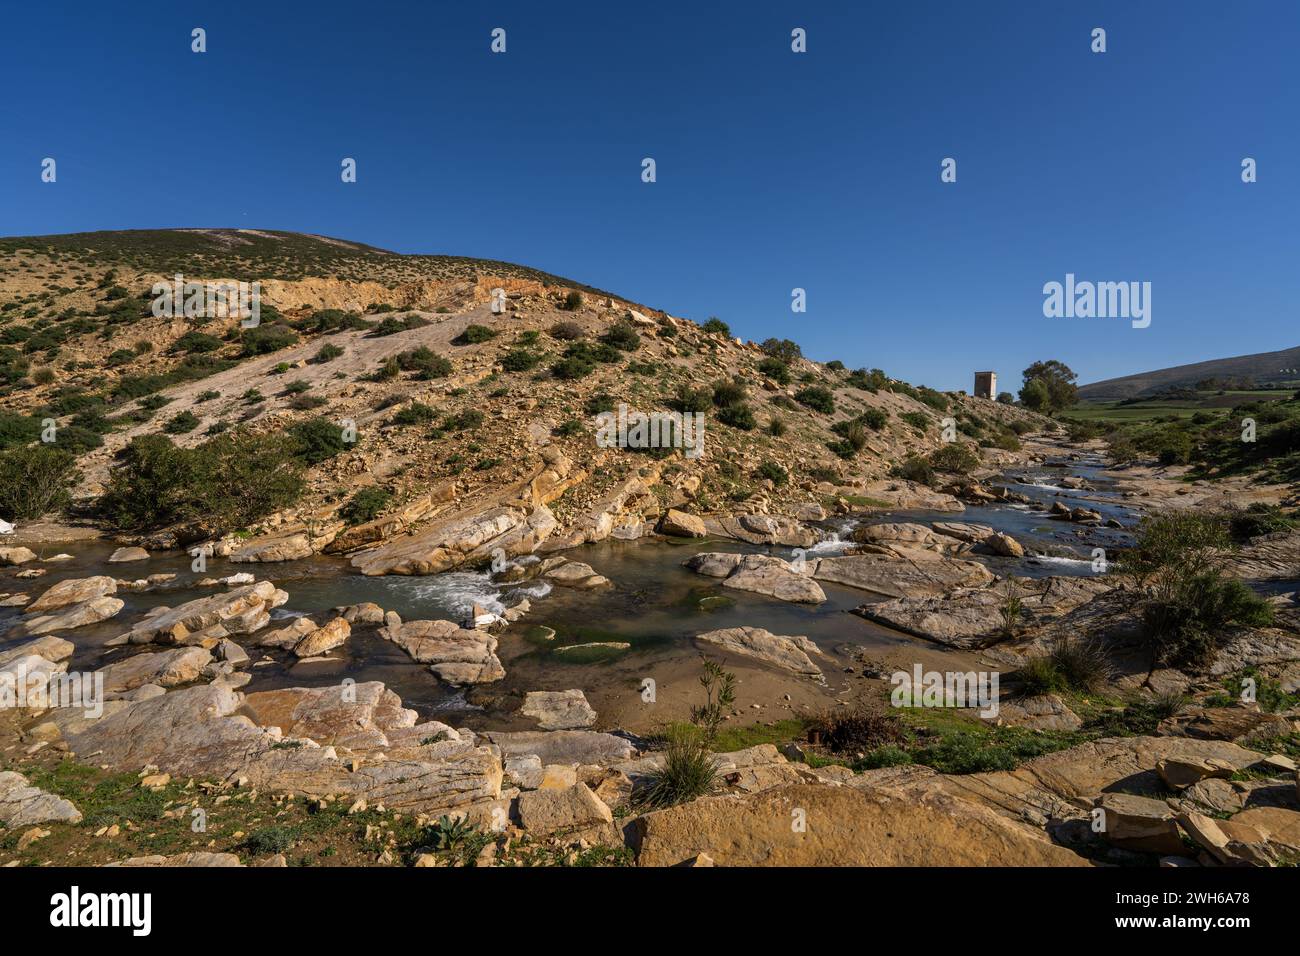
(445, 393)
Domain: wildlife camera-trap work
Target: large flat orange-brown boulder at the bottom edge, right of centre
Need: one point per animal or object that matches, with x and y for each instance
(842, 827)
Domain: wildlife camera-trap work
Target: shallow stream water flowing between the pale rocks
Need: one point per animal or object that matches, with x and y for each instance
(656, 607)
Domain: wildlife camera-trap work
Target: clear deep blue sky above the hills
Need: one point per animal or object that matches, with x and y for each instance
(774, 170)
